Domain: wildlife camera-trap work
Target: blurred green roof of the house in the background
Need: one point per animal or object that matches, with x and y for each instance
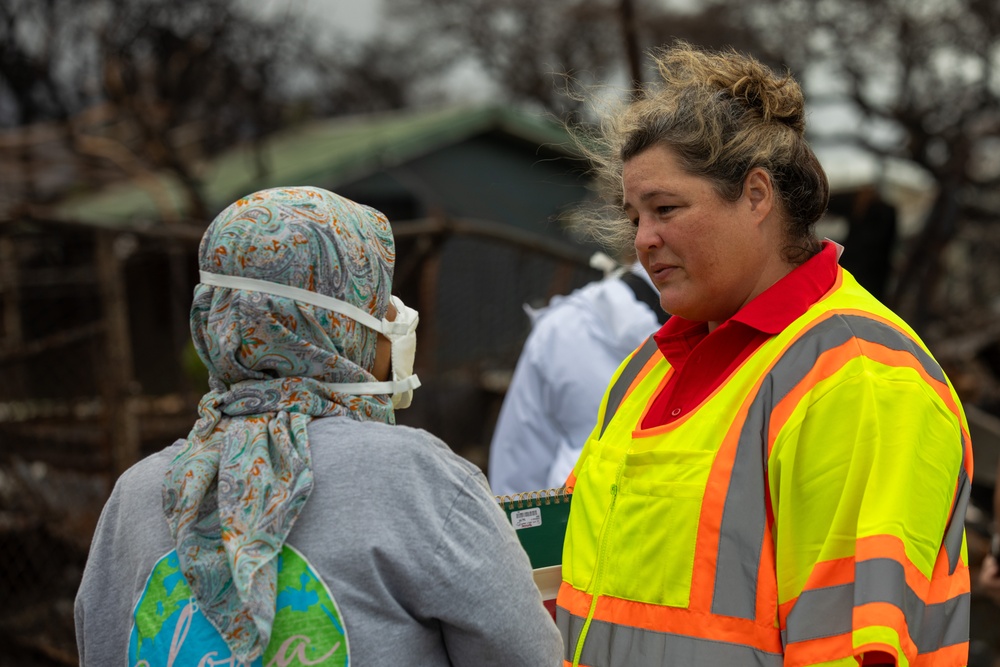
(330, 152)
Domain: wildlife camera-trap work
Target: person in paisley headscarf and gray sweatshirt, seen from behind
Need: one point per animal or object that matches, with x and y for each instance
(297, 524)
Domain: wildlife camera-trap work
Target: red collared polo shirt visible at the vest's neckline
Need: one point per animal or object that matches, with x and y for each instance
(702, 361)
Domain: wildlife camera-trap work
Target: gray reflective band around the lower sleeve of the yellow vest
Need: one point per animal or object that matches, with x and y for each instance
(825, 612)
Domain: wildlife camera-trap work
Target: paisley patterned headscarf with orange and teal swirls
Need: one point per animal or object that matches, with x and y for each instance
(232, 494)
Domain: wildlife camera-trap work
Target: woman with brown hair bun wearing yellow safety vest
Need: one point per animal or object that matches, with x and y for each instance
(779, 475)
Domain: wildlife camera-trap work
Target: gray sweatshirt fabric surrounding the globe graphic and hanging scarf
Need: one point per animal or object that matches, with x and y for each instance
(420, 561)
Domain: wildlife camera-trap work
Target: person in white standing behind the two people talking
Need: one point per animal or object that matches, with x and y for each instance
(574, 347)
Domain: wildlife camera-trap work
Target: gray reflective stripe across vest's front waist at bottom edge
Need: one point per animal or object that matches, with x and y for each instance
(612, 645)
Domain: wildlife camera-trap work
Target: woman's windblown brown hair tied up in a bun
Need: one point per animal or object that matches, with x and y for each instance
(722, 114)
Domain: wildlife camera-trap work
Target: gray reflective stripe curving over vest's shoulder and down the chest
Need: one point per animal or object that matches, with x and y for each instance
(744, 517)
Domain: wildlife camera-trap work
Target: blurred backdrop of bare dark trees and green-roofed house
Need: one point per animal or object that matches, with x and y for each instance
(127, 125)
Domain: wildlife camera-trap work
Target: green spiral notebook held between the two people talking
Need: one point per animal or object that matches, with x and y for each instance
(539, 519)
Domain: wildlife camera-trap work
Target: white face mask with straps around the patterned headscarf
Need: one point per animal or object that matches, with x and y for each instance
(401, 332)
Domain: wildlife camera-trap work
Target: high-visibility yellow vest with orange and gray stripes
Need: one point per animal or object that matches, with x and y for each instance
(808, 511)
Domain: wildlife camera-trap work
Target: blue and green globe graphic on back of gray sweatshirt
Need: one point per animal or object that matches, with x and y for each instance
(169, 630)
